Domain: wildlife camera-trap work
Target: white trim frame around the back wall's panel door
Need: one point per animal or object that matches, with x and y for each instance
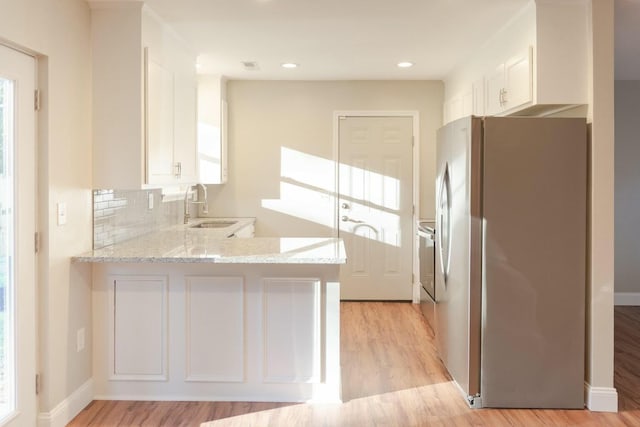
(415, 152)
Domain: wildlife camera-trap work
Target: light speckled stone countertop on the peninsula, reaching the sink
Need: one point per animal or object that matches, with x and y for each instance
(184, 244)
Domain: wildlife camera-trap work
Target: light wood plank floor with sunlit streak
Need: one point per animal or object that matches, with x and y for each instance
(391, 377)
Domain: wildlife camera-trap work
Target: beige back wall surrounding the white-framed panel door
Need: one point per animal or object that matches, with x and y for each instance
(265, 116)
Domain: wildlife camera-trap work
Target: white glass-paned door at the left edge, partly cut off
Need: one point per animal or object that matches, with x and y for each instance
(17, 228)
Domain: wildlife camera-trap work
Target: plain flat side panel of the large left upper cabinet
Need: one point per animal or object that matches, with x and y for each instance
(118, 88)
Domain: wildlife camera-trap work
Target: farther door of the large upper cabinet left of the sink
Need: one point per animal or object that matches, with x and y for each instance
(185, 96)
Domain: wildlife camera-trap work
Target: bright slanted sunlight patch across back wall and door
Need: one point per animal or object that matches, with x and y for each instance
(369, 201)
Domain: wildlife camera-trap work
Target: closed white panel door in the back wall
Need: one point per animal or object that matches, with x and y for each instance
(375, 207)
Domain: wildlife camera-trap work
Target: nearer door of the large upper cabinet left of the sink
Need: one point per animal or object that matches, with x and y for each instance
(159, 126)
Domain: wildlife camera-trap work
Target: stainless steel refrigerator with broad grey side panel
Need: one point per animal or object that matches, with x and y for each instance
(510, 259)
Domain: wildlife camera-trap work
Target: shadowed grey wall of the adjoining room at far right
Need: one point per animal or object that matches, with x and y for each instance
(627, 197)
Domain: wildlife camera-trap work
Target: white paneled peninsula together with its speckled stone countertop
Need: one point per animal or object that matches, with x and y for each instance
(217, 319)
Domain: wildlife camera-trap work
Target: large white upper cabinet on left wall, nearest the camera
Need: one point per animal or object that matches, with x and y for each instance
(144, 108)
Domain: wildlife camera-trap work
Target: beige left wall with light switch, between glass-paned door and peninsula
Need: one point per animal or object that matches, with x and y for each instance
(59, 32)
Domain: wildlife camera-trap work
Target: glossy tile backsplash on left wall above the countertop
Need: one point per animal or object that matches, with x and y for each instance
(120, 215)
